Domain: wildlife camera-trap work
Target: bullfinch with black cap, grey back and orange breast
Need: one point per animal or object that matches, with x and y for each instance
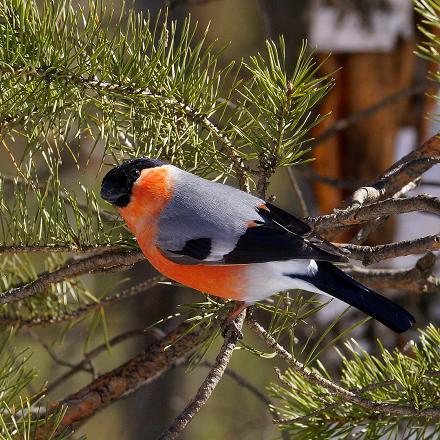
(225, 242)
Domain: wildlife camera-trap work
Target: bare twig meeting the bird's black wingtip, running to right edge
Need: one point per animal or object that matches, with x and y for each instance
(374, 254)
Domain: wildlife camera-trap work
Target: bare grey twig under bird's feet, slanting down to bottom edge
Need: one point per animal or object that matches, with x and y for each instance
(207, 387)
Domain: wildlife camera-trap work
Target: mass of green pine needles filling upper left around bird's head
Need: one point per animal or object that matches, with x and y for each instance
(91, 86)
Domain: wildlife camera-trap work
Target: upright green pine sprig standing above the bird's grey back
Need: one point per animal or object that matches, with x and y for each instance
(275, 108)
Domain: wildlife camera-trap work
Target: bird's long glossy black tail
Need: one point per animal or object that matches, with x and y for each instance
(333, 281)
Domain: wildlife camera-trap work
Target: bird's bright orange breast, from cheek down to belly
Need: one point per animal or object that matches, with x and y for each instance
(150, 196)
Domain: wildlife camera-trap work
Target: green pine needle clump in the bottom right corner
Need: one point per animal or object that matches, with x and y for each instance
(410, 379)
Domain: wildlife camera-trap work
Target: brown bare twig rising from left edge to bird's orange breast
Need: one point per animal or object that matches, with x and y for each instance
(72, 269)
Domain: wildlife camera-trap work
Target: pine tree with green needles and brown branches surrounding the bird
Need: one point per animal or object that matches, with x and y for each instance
(93, 87)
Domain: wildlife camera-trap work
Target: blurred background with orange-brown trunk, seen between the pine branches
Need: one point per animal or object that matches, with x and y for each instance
(378, 114)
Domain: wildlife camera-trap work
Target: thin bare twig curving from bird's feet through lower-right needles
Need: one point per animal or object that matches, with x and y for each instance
(344, 394)
